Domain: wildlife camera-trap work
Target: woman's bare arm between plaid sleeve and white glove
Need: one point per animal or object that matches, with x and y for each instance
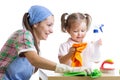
(40, 62)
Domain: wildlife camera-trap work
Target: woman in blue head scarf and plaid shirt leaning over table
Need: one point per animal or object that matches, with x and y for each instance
(19, 57)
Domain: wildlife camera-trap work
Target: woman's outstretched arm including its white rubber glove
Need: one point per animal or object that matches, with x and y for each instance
(43, 63)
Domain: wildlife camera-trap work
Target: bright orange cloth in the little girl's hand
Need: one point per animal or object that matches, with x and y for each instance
(76, 58)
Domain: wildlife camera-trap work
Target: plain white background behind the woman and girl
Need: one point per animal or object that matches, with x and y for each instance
(102, 11)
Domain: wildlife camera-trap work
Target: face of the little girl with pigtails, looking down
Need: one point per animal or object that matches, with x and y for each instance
(78, 31)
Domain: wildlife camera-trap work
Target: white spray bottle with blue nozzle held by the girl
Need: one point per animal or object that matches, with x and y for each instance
(97, 35)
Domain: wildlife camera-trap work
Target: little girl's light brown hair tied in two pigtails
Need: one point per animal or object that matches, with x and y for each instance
(67, 20)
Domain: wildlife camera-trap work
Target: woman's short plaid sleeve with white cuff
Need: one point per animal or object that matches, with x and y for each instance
(24, 41)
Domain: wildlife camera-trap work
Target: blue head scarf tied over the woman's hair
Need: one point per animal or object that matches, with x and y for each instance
(38, 14)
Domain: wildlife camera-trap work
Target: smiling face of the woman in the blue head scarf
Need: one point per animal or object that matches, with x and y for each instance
(44, 28)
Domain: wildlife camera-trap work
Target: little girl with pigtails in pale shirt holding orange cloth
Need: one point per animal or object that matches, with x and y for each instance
(76, 25)
